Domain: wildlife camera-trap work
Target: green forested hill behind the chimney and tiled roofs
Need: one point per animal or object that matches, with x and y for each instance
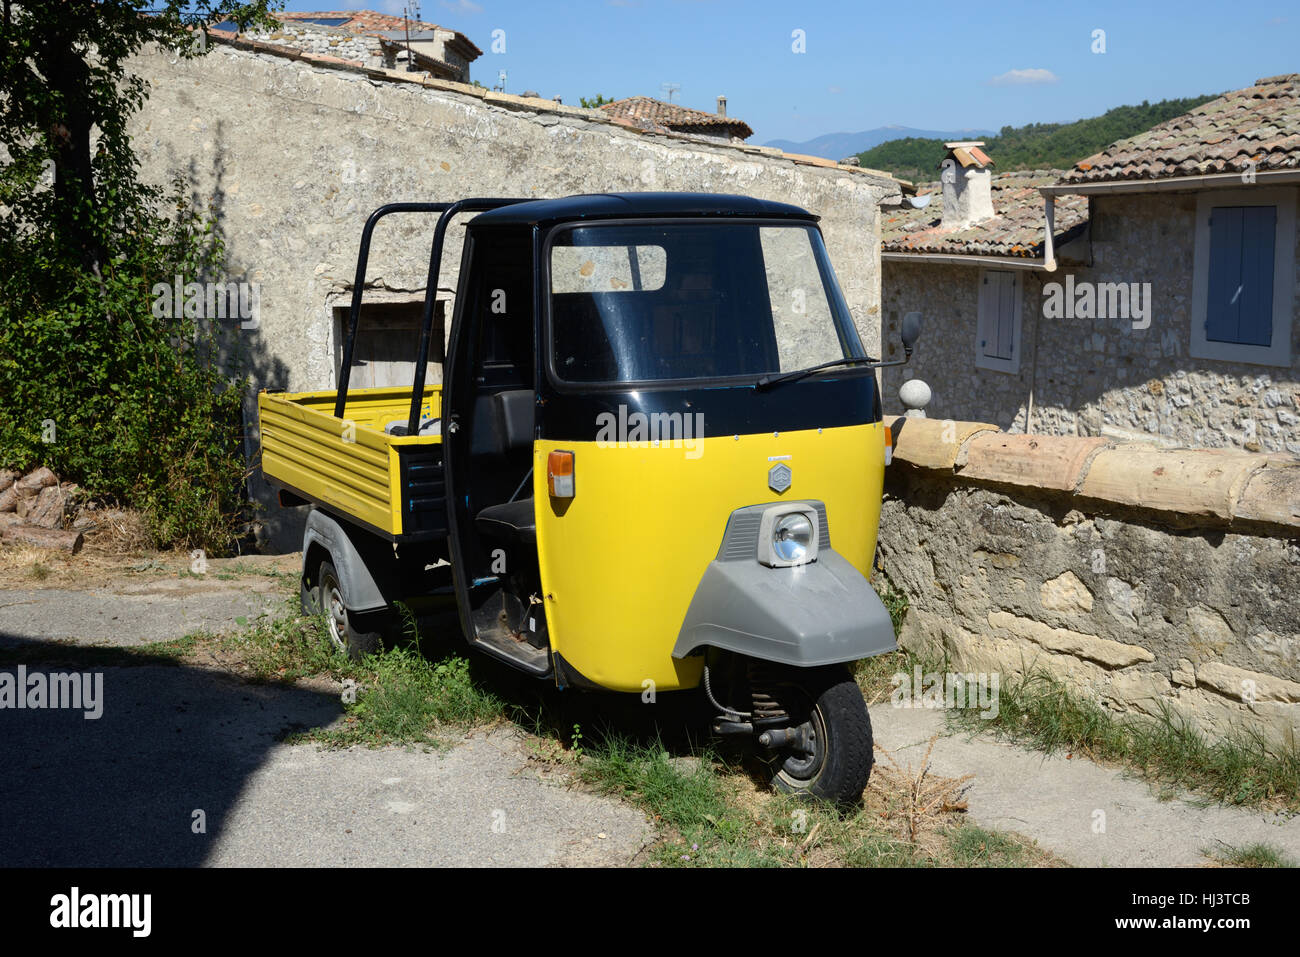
(1038, 146)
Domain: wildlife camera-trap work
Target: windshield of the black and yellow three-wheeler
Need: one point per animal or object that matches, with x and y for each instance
(658, 302)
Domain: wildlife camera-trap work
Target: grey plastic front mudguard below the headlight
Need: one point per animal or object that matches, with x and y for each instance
(816, 614)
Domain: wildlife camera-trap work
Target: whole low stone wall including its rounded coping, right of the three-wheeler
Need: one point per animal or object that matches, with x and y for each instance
(1145, 577)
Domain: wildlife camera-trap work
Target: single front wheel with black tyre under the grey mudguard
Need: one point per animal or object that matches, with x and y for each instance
(833, 757)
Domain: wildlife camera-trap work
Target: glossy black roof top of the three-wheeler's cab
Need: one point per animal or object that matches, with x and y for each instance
(606, 206)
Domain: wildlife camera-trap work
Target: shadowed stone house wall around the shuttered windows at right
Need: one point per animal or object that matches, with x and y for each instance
(1100, 376)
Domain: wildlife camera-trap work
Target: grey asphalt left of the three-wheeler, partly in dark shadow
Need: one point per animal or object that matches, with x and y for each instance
(188, 767)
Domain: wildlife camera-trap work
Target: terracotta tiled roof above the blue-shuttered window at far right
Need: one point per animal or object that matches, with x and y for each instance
(1259, 125)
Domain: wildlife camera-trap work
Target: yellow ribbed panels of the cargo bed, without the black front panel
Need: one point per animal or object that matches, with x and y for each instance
(348, 464)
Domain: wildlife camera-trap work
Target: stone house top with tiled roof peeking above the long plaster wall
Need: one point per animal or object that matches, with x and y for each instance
(371, 40)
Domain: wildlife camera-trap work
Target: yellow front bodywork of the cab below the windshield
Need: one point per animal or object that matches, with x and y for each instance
(622, 560)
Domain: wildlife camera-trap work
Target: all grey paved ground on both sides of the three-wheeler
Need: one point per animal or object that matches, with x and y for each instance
(125, 789)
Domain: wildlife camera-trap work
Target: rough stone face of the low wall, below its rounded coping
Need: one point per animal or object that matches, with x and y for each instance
(1134, 614)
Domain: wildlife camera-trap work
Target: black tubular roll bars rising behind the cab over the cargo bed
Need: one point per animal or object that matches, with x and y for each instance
(448, 211)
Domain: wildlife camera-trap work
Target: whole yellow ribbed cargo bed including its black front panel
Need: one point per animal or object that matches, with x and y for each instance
(350, 467)
